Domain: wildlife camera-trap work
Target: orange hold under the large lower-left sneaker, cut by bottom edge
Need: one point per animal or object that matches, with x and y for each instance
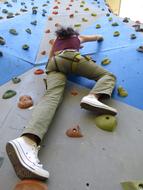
(30, 184)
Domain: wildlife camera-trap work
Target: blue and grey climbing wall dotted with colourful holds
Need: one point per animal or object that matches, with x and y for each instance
(99, 159)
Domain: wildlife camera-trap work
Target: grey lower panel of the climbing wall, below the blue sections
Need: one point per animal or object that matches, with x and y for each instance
(98, 160)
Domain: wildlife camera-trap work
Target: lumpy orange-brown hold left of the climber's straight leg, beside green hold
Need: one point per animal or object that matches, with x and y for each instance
(25, 102)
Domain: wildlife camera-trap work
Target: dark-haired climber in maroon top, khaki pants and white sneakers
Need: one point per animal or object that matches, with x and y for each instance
(64, 58)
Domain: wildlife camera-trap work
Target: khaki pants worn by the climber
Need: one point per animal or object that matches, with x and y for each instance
(57, 69)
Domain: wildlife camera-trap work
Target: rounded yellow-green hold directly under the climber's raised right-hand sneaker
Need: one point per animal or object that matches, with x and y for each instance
(106, 122)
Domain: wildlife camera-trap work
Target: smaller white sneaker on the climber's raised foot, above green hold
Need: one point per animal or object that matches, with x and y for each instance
(91, 103)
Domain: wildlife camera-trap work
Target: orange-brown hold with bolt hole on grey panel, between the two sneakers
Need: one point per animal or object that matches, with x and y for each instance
(74, 132)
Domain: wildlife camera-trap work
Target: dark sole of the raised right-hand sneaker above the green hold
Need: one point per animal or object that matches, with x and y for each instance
(98, 110)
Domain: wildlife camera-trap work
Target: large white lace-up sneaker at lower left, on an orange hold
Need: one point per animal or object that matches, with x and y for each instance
(23, 154)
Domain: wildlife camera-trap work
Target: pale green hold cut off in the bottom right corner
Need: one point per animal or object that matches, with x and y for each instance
(129, 185)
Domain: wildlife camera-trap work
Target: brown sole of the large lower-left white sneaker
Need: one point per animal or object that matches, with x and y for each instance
(21, 171)
